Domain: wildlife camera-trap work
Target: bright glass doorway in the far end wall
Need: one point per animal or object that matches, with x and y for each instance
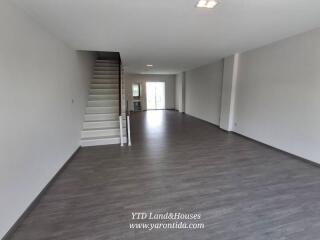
(155, 95)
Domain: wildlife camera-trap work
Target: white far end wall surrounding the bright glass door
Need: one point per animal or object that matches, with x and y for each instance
(142, 79)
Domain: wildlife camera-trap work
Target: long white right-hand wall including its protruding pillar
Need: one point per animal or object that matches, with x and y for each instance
(270, 94)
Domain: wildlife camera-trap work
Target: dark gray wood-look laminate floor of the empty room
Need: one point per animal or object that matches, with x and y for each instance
(243, 189)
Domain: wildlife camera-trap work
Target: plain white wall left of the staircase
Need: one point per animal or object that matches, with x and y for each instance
(39, 124)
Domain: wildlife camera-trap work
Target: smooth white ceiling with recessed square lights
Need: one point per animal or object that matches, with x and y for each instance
(172, 35)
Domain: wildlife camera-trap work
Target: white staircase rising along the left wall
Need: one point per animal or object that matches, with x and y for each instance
(101, 121)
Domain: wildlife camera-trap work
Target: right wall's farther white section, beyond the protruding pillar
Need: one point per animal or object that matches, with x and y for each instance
(203, 92)
